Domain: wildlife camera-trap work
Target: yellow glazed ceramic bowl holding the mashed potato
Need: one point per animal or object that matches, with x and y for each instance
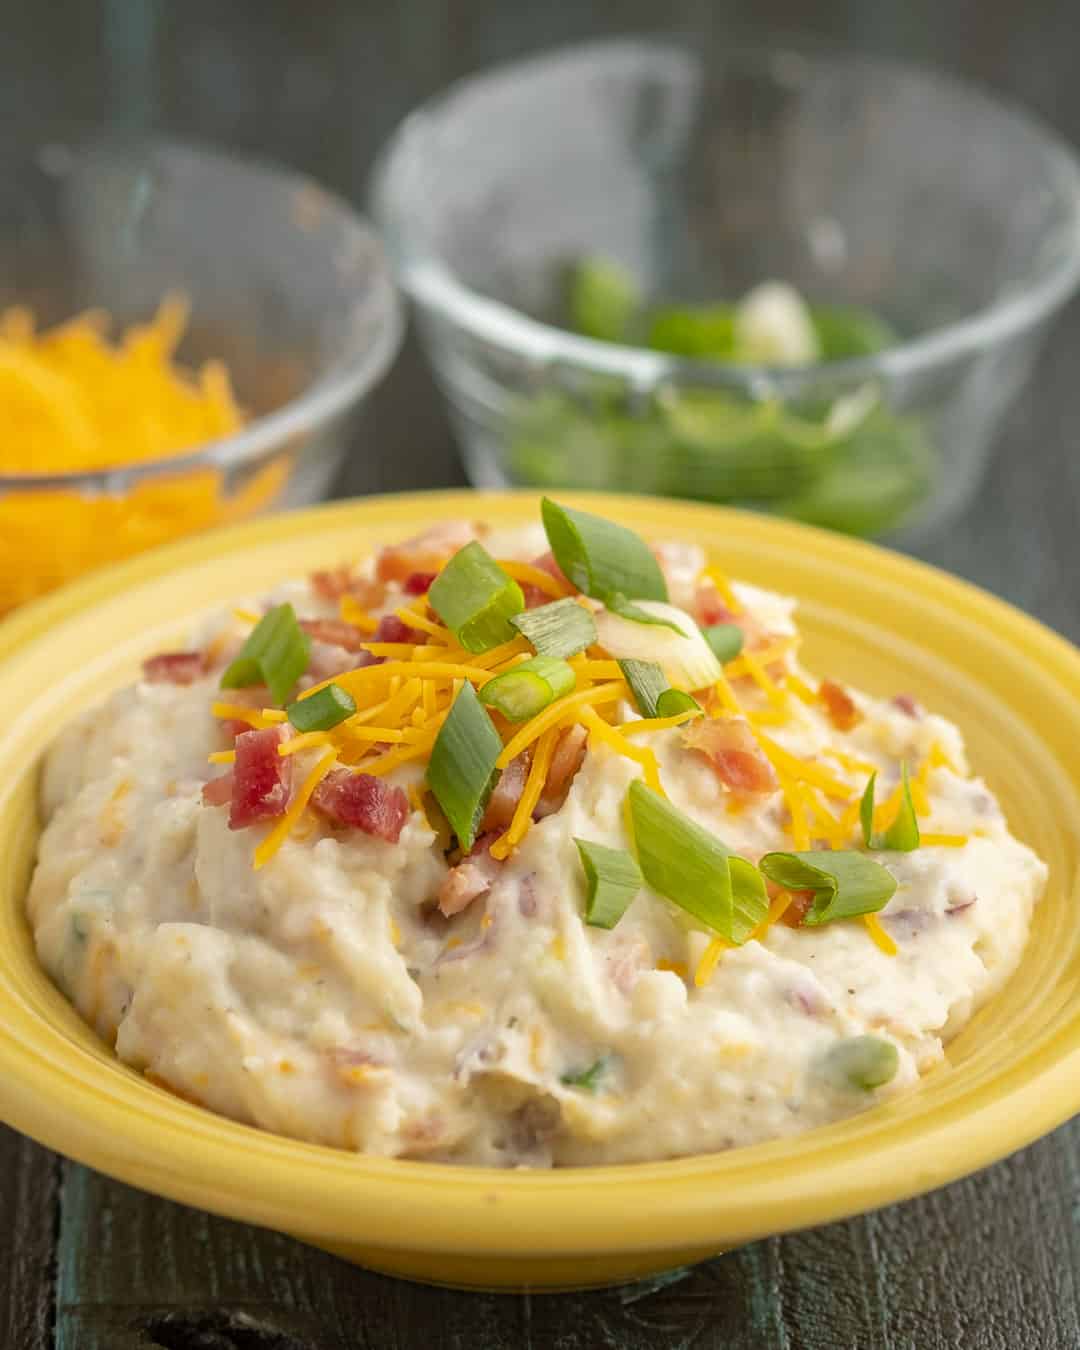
(870, 618)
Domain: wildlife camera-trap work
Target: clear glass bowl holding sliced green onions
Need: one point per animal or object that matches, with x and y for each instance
(946, 214)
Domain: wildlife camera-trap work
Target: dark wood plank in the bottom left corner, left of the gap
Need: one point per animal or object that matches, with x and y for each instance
(29, 1185)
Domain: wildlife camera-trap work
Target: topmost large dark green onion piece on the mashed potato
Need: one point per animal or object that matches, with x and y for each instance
(601, 558)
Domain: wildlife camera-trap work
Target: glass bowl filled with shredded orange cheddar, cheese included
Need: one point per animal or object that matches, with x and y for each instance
(218, 323)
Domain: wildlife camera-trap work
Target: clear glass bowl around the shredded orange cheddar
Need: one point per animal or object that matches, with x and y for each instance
(287, 286)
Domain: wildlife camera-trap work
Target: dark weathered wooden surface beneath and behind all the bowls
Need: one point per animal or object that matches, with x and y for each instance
(992, 1263)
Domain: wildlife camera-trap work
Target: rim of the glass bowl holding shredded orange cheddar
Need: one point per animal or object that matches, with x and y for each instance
(356, 371)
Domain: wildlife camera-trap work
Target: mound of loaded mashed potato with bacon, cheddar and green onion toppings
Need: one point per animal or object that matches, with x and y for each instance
(522, 851)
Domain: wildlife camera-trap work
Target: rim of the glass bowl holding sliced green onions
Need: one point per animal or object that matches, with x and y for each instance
(435, 286)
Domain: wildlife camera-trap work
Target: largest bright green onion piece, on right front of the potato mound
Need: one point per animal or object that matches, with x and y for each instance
(695, 870)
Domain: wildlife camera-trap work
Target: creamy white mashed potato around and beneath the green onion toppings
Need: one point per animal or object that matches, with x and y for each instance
(396, 998)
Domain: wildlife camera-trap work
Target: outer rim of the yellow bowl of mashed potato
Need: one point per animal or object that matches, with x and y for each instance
(161, 1144)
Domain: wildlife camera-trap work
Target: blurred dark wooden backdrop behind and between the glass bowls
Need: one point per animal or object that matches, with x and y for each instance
(322, 88)
